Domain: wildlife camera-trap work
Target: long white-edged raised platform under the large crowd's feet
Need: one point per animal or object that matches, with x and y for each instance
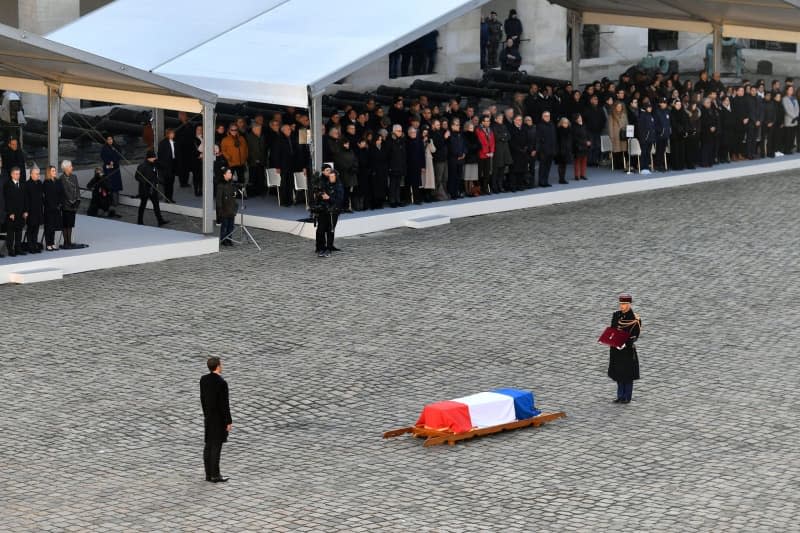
(265, 213)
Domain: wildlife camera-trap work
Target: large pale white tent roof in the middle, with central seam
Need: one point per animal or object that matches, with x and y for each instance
(272, 51)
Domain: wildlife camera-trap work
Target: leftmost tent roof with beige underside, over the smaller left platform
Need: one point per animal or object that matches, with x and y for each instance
(29, 62)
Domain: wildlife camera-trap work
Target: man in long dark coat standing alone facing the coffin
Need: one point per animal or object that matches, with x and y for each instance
(217, 415)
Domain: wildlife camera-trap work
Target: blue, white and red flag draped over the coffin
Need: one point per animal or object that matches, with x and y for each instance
(481, 410)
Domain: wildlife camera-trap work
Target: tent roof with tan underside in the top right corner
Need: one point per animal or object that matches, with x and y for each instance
(777, 20)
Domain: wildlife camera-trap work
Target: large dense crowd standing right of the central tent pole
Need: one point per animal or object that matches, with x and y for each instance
(420, 151)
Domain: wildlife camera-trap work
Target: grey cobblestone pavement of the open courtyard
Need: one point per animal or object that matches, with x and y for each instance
(102, 429)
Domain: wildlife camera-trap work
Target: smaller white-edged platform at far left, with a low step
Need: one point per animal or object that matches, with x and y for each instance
(111, 244)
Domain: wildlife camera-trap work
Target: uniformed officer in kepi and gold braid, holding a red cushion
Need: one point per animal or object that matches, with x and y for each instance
(623, 363)
